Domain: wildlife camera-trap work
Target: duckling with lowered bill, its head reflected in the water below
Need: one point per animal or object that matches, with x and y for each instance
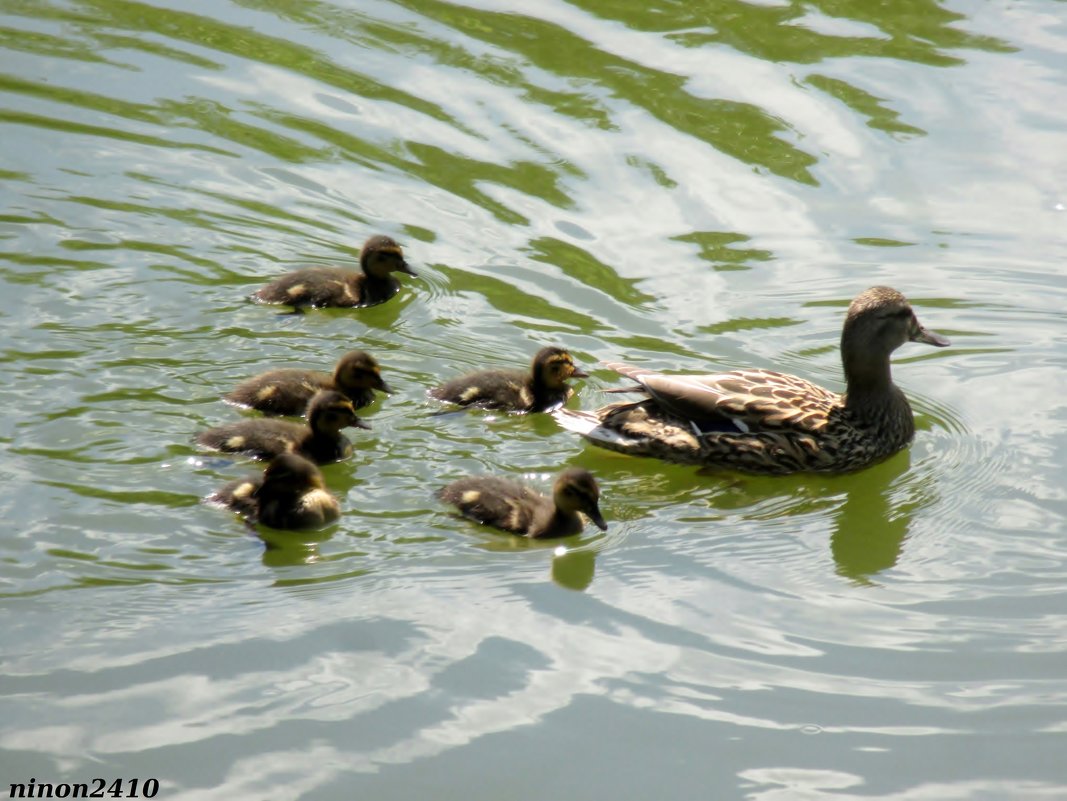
(516, 508)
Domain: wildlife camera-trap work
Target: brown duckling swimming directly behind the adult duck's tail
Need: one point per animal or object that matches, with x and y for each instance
(542, 390)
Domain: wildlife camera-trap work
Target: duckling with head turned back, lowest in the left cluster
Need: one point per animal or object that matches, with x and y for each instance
(290, 494)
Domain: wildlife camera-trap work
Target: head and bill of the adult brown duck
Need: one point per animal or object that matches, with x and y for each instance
(880, 322)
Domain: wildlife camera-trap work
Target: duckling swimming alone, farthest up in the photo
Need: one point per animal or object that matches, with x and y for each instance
(333, 286)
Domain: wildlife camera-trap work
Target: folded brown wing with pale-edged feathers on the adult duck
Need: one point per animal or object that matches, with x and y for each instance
(750, 400)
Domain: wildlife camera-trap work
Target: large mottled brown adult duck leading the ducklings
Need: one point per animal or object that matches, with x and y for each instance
(769, 423)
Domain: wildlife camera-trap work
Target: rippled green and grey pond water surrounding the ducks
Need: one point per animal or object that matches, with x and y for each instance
(682, 184)
